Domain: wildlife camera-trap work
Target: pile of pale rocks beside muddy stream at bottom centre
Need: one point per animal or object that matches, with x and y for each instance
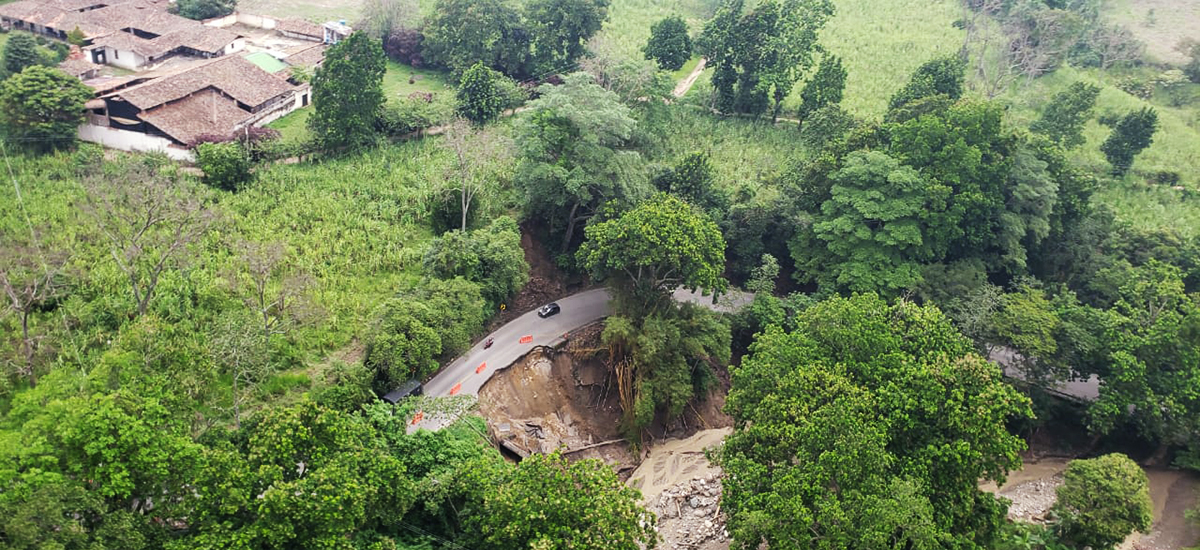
(691, 515)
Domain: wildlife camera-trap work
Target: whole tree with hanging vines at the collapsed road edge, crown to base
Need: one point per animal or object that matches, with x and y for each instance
(658, 348)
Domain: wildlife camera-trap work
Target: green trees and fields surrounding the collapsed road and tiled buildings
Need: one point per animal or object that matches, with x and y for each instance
(929, 238)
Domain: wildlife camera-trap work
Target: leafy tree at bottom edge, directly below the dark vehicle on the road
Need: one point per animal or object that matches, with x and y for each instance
(304, 477)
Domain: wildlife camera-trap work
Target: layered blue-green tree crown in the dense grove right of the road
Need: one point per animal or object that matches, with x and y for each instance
(872, 234)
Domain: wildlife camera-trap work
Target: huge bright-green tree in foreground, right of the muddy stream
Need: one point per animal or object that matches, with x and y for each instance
(868, 427)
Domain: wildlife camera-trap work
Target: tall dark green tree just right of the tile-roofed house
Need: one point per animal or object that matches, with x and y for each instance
(347, 93)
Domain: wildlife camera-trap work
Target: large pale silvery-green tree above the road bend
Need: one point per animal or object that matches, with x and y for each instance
(571, 159)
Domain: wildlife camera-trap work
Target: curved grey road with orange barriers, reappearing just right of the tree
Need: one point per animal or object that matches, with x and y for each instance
(578, 312)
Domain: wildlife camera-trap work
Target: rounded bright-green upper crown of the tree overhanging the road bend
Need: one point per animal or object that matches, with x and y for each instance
(661, 246)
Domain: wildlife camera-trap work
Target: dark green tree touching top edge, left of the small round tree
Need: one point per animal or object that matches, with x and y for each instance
(560, 29)
